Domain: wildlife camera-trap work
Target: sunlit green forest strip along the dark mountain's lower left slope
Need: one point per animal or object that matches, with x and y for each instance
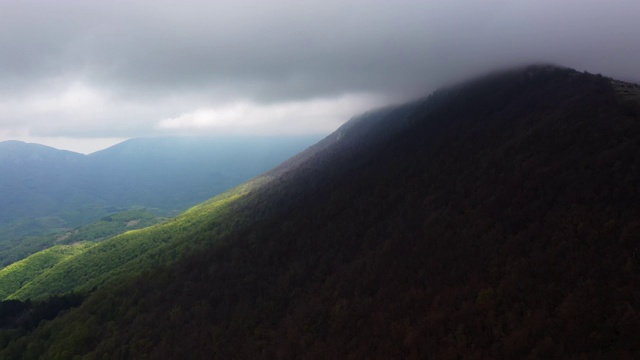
(135, 251)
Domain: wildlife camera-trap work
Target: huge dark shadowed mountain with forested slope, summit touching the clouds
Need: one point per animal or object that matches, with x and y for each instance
(493, 219)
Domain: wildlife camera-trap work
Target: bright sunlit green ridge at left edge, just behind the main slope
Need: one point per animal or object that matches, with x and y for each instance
(16, 275)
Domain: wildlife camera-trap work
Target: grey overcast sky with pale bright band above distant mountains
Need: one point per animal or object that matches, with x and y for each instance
(84, 74)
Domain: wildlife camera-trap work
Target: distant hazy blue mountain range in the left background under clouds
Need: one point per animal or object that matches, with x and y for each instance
(166, 173)
